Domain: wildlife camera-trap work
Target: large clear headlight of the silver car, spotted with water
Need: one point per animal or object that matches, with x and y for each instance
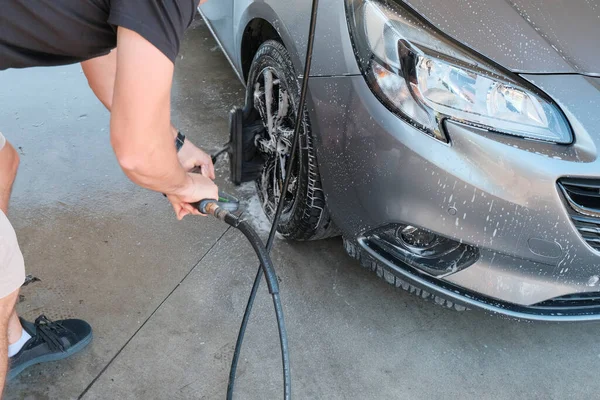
(425, 77)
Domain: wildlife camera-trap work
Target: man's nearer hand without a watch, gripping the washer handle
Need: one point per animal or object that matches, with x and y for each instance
(198, 188)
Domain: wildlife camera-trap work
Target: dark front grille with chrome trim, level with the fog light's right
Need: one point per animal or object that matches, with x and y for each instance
(583, 198)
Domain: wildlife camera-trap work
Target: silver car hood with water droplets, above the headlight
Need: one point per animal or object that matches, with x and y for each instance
(525, 36)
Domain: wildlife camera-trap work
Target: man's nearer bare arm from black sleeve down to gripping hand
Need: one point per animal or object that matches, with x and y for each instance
(141, 129)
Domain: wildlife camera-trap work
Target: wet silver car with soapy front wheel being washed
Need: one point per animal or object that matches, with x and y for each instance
(453, 144)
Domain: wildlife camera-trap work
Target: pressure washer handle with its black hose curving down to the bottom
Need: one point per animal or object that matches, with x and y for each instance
(223, 209)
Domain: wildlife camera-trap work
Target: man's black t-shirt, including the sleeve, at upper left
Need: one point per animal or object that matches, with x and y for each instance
(57, 32)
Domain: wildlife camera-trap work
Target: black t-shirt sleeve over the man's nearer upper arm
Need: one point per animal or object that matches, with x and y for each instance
(161, 22)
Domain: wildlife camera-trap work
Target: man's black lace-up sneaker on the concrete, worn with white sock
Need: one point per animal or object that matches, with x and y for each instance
(50, 341)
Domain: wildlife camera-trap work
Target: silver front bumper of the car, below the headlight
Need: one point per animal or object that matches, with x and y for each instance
(491, 191)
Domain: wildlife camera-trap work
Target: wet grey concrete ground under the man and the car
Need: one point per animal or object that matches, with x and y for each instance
(165, 298)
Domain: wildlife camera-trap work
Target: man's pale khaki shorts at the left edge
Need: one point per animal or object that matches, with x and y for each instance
(12, 266)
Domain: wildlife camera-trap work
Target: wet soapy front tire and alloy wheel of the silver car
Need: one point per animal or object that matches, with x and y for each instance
(305, 216)
